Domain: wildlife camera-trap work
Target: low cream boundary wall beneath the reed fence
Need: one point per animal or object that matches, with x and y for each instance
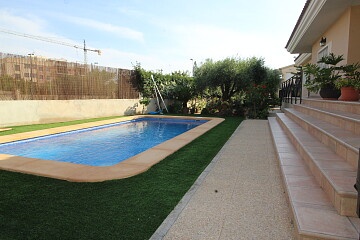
(23, 112)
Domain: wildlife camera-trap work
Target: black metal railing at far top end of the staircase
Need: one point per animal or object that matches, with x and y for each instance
(291, 89)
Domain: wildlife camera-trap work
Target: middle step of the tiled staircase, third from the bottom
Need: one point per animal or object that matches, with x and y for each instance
(345, 143)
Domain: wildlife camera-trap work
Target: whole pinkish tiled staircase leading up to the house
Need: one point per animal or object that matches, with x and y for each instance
(317, 144)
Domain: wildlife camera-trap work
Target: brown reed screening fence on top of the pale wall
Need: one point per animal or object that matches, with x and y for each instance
(32, 77)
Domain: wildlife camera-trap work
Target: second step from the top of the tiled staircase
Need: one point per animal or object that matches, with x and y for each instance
(346, 121)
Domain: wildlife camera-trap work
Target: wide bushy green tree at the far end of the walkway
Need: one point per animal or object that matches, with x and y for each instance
(237, 81)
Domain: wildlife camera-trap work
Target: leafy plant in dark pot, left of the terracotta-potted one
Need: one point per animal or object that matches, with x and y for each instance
(322, 77)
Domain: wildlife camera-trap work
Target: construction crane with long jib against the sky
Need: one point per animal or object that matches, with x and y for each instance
(84, 48)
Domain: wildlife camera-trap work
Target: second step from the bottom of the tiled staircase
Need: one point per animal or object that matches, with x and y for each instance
(334, 175)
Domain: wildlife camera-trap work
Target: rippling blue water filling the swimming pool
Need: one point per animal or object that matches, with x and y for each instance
(104, 145)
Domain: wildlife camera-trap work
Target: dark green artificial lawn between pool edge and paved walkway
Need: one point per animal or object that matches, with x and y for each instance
(34, 207)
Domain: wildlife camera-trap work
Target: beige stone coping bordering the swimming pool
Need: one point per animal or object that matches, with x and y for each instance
(84, 173)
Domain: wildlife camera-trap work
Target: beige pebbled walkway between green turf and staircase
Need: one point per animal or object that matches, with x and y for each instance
(239, 196)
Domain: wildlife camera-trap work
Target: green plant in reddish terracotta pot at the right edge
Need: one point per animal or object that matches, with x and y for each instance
(349, 83)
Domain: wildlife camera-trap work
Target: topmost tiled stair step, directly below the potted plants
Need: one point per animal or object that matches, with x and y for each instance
(343, 106)
